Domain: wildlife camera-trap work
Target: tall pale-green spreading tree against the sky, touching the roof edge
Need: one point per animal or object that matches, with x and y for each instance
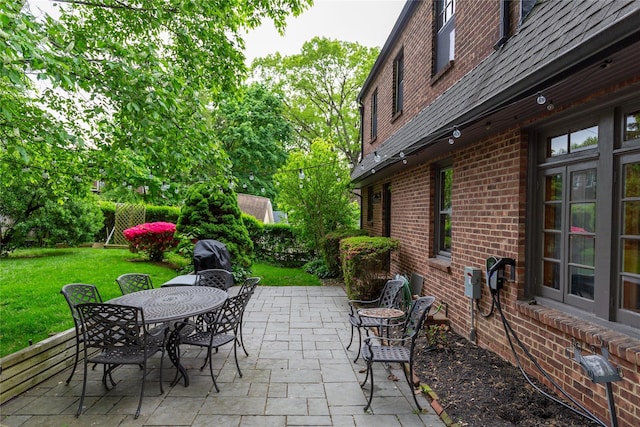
(320, 87)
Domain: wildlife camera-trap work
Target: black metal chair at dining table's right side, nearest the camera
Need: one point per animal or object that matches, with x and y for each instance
(217, 328)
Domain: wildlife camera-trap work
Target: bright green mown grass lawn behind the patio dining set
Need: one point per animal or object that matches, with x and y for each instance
(32, 308)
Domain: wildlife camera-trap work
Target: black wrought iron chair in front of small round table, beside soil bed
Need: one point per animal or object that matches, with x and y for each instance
(398, 350)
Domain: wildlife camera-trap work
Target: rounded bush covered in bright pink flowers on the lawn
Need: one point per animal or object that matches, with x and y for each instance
(153, 238)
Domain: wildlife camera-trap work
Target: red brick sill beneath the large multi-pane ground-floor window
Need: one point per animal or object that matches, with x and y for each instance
(585, 331)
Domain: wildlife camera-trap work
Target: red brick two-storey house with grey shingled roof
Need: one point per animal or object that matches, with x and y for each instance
(486, 128)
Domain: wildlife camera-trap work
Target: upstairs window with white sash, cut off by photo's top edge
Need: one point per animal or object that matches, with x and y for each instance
(444, 46)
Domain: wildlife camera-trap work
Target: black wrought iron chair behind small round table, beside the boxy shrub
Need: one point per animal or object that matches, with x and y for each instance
(390, 297)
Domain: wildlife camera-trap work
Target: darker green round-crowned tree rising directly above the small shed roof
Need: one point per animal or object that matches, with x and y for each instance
(252, 131)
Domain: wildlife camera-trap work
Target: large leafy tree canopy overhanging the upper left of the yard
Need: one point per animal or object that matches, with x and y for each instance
(117, 78)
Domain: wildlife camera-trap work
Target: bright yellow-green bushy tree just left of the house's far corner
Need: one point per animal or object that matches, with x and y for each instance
(315, 192)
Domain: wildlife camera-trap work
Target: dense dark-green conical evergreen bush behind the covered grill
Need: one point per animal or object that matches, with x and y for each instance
(211, 211)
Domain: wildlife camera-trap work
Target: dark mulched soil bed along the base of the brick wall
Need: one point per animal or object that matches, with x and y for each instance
(477, 388)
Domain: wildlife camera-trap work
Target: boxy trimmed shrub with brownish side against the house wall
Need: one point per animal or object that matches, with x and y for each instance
(366, 264)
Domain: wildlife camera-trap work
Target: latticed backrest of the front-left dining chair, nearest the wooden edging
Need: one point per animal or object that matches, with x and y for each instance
(112, 326)
